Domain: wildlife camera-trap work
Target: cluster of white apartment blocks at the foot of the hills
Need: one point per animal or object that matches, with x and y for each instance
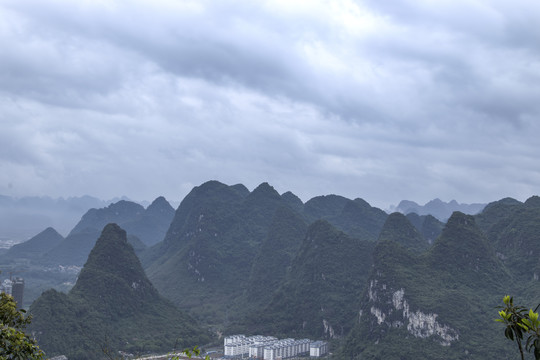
(269, 347)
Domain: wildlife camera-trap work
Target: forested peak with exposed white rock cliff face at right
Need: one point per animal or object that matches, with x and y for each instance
(422, 306)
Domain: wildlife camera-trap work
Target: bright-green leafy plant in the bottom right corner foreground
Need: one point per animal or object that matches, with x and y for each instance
(520, 323)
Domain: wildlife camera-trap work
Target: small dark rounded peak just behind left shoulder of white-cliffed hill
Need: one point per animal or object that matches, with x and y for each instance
(399, 229)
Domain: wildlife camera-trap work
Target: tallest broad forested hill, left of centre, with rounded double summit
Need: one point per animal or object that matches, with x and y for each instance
(211, 245)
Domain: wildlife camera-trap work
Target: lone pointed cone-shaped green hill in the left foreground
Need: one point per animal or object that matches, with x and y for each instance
(113, 305)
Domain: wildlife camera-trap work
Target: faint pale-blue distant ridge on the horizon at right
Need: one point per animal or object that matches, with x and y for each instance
(438, 208)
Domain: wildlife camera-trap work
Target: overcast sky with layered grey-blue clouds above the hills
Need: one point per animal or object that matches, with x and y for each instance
(382, 100)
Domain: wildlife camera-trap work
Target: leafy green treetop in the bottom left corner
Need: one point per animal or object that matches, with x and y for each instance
(15, 344)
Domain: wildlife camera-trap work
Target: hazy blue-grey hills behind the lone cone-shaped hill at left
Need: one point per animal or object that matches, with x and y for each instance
(50, 261)
